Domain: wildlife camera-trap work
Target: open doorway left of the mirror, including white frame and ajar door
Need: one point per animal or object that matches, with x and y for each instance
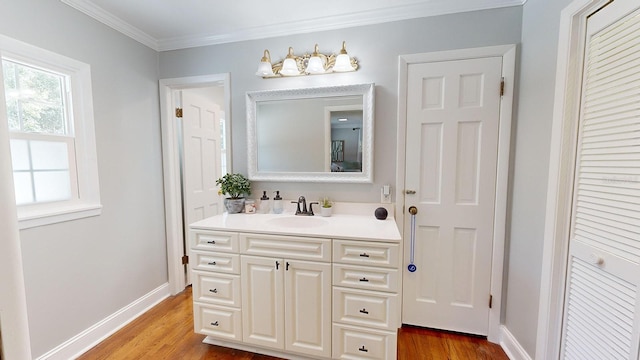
(189, 94)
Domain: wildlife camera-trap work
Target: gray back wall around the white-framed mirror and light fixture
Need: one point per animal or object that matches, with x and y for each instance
(377, 49)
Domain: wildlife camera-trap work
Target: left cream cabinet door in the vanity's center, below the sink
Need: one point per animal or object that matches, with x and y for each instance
(262, 301)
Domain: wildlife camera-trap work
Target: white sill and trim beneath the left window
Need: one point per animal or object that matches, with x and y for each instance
(29, 218)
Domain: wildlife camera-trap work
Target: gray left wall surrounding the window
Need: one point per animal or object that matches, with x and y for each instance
(79, 272)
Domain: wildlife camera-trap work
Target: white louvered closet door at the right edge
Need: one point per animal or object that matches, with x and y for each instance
(602, 312)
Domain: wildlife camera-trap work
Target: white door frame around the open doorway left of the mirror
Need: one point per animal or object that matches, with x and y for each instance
(171, 166)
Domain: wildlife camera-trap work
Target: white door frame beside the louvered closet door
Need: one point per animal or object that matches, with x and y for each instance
(566, 111)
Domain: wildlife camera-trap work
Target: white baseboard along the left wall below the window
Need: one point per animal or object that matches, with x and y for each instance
(90, 337)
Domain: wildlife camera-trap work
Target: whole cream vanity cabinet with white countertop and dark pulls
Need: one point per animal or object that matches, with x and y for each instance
(297, 293)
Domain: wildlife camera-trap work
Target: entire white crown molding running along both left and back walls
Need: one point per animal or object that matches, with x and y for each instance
(362, 18)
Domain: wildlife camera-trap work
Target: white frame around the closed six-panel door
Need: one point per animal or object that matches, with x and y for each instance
(508, 54)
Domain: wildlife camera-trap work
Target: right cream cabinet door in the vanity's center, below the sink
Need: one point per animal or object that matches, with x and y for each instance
(308, 307)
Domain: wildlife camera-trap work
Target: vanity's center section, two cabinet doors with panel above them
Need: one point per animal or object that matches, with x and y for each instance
(287, 300)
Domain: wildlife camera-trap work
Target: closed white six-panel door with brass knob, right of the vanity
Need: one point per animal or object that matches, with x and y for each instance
(453, 113)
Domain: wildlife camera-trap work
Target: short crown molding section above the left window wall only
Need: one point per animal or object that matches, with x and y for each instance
(89, 8)
